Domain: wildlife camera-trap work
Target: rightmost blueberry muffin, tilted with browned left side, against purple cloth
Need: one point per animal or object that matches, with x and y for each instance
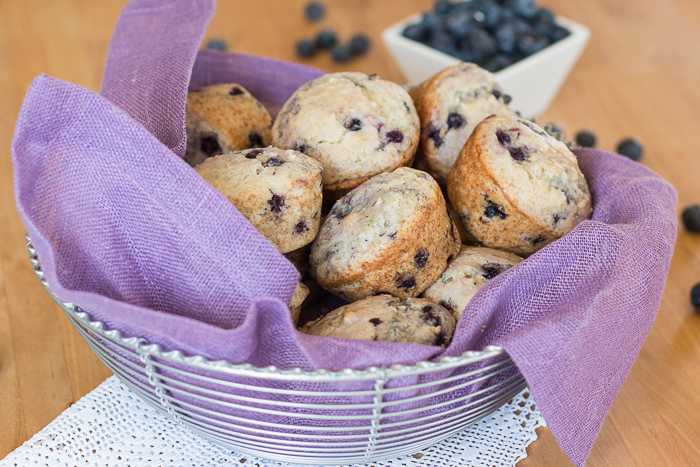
(516, 187)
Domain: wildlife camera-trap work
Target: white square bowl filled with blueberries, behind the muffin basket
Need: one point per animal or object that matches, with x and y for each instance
(530, 50)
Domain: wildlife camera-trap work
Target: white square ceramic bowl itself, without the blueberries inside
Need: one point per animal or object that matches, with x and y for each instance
(532, 82)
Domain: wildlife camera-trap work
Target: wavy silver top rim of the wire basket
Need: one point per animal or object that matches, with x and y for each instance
(141, 345)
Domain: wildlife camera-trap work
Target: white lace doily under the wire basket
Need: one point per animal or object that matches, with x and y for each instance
(111, 426)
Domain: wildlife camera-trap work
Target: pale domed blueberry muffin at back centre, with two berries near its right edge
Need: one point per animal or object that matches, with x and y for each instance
(355, 125)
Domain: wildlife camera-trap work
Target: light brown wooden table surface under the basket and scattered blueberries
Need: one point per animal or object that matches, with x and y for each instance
(639, 76)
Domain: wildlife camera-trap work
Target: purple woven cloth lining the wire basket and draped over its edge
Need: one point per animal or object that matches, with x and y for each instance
(128, 231)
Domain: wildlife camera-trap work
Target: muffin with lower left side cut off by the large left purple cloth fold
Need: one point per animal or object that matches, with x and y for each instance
(278, 191)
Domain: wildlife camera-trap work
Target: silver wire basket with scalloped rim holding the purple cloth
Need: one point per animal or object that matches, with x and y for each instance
(320, 417)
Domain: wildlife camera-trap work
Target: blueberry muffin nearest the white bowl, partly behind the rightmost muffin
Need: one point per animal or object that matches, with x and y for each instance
(450, 105)
